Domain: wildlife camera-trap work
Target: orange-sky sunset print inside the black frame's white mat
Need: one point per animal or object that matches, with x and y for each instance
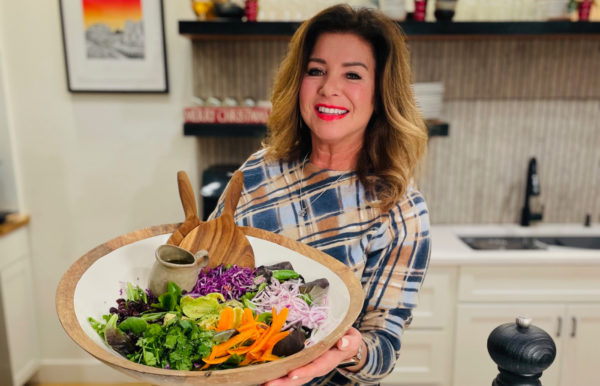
(114, 29)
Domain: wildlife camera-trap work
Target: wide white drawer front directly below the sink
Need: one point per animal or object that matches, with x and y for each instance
(529, 283)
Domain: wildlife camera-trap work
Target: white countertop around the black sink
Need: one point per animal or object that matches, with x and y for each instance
(448, 249)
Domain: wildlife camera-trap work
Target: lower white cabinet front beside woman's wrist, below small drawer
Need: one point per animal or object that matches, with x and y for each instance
(424, 359)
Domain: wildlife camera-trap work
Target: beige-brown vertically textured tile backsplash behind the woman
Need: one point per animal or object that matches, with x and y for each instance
(506, 99)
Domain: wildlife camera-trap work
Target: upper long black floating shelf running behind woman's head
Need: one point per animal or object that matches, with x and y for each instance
(240, 29)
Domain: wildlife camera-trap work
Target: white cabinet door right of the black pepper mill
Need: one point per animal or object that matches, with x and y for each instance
(580, 359)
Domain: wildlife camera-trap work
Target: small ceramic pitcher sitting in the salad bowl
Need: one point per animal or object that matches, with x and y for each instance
(177, 265)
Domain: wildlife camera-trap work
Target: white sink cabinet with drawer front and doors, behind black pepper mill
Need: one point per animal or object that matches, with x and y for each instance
(562, 300)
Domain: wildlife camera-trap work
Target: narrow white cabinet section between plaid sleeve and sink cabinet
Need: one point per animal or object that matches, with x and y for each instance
(426, 354)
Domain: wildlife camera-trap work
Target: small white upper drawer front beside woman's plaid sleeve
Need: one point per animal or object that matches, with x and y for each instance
(436, 299)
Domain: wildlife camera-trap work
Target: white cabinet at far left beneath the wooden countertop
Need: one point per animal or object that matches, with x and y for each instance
(19, 347)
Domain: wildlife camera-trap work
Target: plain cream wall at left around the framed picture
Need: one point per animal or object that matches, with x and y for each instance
(92, 167)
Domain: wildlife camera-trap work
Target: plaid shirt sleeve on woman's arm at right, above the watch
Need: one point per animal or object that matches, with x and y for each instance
(397, 260)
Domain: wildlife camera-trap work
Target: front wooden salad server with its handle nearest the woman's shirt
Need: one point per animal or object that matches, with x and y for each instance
(221, 237)
